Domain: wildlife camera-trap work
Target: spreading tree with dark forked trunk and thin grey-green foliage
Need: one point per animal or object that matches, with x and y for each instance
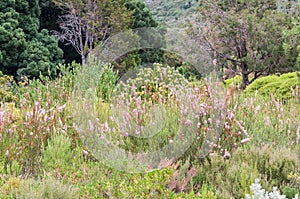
(243, 36)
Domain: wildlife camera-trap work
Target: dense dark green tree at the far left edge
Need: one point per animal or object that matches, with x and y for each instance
(24, 50)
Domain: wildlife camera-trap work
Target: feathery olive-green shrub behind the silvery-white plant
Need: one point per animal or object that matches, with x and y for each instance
(232, 178)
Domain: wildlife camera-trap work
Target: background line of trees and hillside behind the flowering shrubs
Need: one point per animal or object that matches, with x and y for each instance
(250, 39)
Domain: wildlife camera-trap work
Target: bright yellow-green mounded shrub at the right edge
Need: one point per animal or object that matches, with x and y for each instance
(280, 86)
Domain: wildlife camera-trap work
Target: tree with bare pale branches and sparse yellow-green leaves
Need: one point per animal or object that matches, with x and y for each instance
(89, 23)
